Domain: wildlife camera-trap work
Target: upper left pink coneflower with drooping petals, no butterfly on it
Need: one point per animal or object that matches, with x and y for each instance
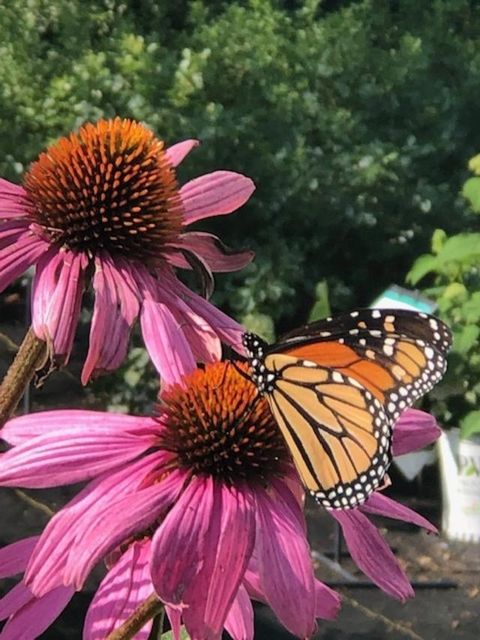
(104, 205)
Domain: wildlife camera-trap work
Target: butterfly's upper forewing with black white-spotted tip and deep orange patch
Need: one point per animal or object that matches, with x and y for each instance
(397, 355)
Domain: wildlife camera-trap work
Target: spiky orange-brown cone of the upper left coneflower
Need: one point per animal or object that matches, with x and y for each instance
(108, 188)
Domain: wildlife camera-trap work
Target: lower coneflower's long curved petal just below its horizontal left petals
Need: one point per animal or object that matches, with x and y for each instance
(46, 569)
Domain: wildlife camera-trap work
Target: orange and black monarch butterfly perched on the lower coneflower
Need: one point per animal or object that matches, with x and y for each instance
(336, 387)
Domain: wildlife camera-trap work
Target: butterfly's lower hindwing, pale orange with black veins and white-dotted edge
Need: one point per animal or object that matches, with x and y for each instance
(338, 432)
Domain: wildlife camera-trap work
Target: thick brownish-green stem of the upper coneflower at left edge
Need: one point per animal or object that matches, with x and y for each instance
(30, 356)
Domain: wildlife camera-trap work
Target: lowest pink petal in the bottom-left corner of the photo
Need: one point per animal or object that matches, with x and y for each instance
(34, 617)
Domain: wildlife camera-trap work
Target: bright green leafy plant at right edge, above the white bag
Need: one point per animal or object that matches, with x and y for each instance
(453, 269)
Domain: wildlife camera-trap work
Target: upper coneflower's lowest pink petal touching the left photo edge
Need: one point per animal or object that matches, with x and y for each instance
(22, 251)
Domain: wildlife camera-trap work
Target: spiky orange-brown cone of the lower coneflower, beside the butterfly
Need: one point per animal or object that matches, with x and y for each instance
(219, 425)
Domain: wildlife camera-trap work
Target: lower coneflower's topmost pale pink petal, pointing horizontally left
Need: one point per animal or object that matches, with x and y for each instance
(22, 429)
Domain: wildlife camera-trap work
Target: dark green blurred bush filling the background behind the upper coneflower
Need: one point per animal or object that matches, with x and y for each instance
(354, 118)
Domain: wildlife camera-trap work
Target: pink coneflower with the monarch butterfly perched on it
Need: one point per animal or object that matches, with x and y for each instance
(201, 504)
